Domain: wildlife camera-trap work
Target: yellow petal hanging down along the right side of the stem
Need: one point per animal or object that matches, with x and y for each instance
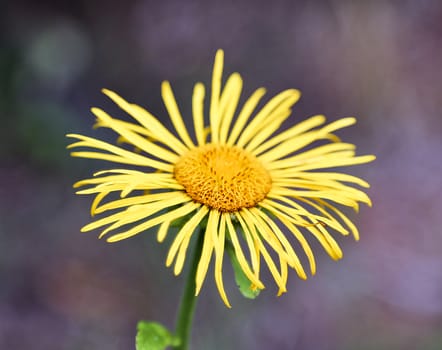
(208, 247)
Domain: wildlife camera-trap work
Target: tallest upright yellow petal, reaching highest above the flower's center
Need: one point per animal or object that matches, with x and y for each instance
(215, 117)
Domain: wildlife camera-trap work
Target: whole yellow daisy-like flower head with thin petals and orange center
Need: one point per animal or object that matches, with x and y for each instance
(253, 188)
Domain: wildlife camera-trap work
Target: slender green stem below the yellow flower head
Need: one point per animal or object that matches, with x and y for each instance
(188, 300)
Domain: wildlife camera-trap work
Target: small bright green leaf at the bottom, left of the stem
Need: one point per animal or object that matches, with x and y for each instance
(154, 336)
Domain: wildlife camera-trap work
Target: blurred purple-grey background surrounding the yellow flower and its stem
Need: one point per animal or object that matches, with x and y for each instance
(378, 60)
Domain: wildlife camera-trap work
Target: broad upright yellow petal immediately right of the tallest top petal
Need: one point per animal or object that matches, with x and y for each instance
(228, 104)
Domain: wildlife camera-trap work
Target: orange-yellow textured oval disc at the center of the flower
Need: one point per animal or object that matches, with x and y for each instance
(223, 177)
